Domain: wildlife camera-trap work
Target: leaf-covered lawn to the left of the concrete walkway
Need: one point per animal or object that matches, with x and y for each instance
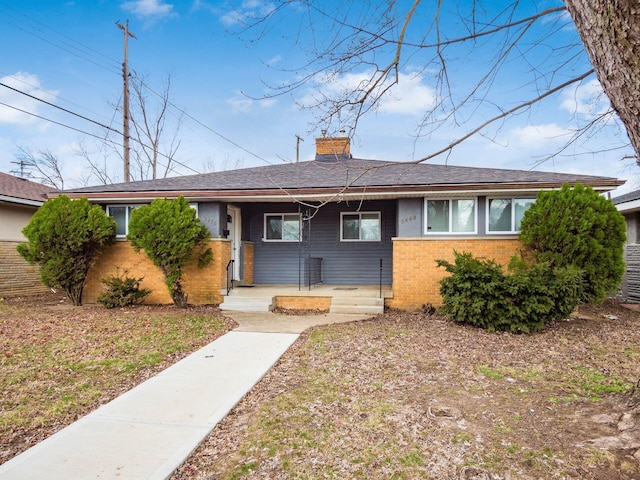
(58, 362)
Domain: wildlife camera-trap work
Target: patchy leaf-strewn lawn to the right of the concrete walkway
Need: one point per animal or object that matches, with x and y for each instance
(407, 395)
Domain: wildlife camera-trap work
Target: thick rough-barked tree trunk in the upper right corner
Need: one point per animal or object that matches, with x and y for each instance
(610, 31)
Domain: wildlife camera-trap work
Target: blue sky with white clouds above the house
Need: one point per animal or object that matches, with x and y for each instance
(69, 53)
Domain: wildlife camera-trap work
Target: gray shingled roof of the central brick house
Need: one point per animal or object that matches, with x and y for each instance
(356, 173)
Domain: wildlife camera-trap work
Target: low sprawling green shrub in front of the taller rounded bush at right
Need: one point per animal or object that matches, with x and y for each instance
(479, 293)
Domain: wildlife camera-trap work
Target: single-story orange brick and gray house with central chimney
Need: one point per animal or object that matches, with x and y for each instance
(334, 226)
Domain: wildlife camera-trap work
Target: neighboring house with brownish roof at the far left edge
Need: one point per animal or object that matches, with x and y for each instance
(19, 199)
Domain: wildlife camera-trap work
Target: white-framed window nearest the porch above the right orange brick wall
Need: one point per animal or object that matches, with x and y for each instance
(451, 215)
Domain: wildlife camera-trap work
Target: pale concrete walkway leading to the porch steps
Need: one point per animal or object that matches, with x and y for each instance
(150, 430)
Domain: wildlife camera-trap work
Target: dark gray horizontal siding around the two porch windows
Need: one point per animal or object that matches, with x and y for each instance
(344, 263)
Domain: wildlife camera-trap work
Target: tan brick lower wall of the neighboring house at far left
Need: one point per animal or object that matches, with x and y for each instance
(17, 277)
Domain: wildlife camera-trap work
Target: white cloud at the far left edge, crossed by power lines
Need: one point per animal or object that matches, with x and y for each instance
(29, 84)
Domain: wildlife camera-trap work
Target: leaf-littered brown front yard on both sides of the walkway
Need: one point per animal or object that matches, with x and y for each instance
(403, 395)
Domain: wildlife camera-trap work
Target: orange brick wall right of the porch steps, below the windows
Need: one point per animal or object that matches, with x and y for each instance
(416, 277)
